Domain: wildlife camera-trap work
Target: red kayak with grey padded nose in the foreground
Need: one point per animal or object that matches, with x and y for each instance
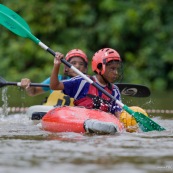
(80, 120)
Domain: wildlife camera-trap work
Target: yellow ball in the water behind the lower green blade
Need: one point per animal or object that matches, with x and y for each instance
(128, 121)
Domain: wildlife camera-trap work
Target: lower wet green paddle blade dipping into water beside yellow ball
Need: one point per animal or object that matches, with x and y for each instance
(145, 123)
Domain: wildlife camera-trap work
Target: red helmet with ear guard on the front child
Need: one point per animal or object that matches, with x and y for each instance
(102, 57)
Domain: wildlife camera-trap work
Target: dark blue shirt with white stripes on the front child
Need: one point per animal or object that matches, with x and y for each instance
(77, 88)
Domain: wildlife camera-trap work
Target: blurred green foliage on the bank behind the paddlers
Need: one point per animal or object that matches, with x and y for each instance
(141, 31)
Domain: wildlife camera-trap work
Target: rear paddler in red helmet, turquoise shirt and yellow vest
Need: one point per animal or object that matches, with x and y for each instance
(78, 59)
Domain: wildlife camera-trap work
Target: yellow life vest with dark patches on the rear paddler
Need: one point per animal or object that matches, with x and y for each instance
(58, 98)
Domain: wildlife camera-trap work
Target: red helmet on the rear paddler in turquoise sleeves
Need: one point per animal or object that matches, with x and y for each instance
(76, 52)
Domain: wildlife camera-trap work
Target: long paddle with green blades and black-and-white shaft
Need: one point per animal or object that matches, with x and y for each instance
(17, 25)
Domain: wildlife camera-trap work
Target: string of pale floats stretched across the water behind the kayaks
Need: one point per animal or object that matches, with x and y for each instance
(24, 109)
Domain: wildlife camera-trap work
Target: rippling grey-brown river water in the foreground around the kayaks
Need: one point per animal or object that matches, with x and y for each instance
(26, 148)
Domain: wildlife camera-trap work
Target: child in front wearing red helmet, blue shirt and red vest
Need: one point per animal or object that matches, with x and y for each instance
(106, 63)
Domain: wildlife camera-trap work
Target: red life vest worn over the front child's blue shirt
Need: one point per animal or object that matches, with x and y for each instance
(94, 101)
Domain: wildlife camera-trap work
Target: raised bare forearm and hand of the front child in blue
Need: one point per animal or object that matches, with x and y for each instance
(55, 84)
